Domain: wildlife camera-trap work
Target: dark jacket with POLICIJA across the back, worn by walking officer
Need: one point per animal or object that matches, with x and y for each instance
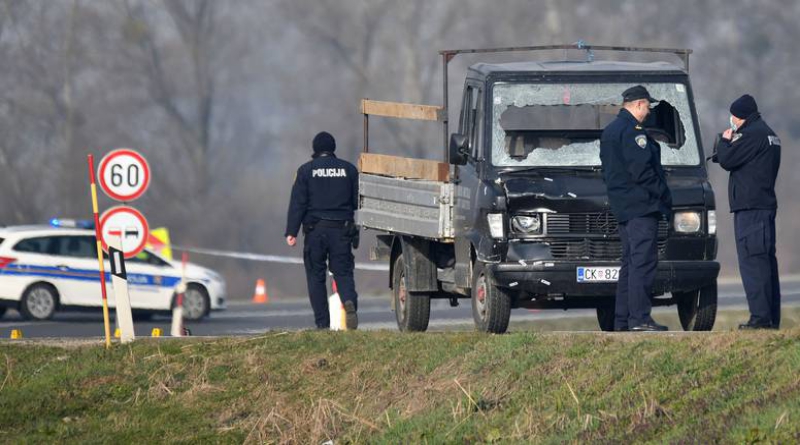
(324, 188)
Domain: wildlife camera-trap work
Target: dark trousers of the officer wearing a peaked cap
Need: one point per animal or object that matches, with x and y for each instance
(639, 264)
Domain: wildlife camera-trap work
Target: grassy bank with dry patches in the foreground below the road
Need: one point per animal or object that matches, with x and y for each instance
(386, 387)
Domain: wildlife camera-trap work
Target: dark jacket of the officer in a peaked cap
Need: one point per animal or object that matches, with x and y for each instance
(632, 170)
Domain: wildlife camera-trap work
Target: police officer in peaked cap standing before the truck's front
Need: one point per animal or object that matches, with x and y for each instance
(638, 193)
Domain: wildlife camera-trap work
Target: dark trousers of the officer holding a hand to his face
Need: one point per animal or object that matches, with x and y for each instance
(755, 246)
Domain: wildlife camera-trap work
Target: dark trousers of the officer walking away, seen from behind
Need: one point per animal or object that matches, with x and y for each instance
(328, 247)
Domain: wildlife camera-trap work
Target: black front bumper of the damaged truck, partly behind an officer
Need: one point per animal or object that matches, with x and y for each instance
(551, 278)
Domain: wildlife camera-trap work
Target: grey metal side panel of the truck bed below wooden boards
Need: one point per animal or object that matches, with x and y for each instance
(408, 206)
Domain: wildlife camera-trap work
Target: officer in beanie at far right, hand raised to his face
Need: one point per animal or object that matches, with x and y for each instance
(751, 152)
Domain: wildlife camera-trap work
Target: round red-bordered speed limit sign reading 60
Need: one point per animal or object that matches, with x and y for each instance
(124, 175)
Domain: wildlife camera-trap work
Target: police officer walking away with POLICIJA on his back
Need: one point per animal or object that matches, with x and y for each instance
(324, 198)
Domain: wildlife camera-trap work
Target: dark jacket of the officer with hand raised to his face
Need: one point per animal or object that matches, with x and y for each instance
(753, 156)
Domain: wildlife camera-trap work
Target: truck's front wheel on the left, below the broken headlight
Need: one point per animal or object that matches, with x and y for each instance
(491, 305)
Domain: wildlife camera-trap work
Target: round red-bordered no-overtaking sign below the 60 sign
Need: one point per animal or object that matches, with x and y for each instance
(127, 223)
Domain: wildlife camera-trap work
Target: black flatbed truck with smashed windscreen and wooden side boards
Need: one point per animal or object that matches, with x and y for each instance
(517, 214)
